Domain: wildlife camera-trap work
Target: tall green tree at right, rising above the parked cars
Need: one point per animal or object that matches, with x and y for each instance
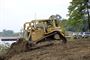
(78, 10)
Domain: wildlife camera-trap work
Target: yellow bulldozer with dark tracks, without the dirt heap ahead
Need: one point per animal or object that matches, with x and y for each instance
(40, 30)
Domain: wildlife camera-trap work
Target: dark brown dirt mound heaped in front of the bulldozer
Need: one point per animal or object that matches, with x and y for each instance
(16, 48)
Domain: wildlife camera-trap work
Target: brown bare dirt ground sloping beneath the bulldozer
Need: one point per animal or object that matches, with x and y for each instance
(79, 49)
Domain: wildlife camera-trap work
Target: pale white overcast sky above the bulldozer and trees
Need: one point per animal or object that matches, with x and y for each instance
(14, 13)
